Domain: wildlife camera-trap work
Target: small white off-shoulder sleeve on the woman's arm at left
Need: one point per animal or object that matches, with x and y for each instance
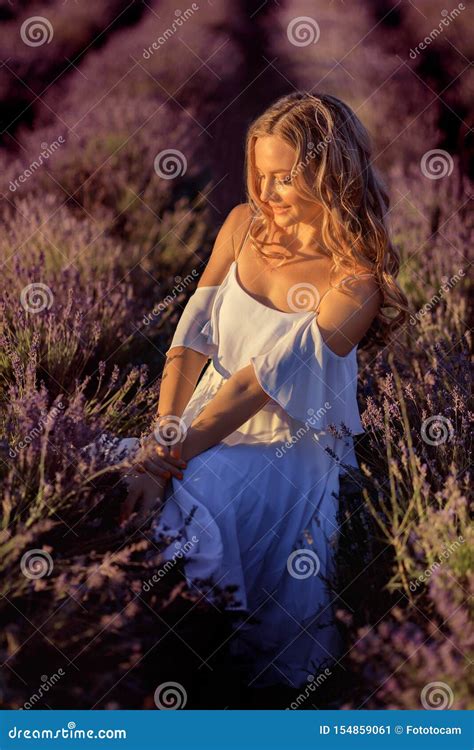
(196, 314)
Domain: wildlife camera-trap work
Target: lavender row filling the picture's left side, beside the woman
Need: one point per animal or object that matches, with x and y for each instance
(96, 236)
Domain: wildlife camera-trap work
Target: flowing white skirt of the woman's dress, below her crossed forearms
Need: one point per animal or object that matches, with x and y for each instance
(258, 511)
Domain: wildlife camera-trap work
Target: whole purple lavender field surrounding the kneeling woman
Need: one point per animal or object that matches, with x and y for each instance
(121, 153)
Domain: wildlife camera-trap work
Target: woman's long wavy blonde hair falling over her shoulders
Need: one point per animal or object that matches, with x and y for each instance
(333, 168)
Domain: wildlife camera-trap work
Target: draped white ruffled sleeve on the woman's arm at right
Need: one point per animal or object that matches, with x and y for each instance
(307, 379)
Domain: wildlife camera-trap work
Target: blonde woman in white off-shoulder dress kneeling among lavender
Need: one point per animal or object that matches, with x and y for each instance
(247, 459)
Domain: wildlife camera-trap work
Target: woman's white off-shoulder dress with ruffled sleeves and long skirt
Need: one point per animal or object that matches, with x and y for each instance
(258, 510)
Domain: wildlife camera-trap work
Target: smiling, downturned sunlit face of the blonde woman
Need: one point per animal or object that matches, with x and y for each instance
(274, 160)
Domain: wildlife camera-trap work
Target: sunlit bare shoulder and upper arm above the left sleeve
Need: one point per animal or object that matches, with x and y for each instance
(223, 252)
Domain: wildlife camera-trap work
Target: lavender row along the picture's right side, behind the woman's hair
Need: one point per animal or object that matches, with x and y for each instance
(406, 567)
